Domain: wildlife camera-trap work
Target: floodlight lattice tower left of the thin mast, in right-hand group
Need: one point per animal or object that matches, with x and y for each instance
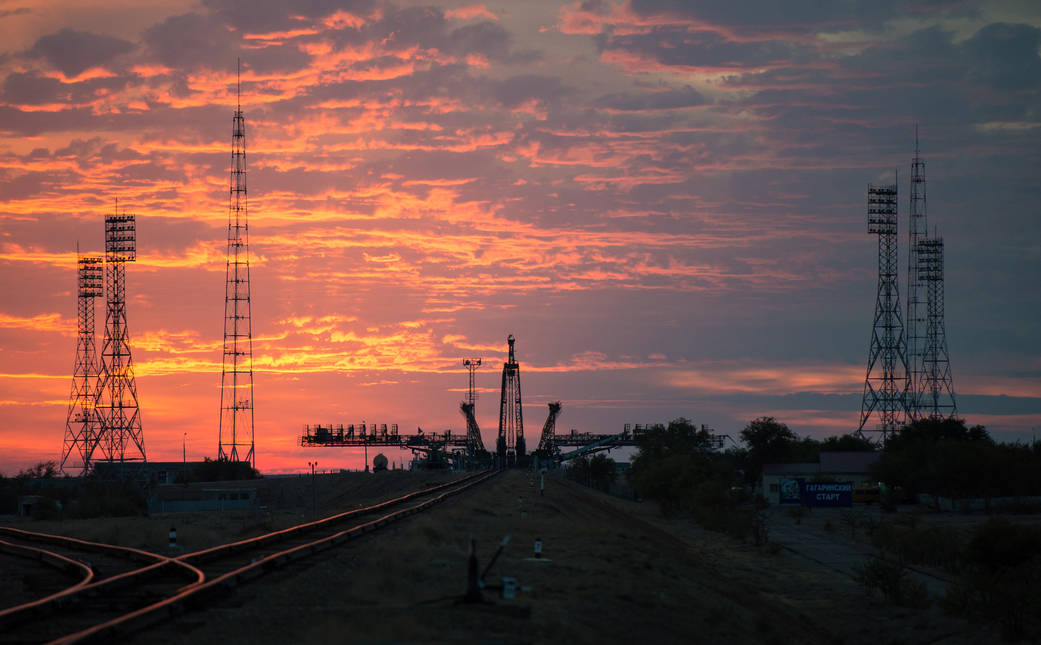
(885, 385)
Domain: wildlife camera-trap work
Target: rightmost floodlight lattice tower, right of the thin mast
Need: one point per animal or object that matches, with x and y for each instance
(937, 398)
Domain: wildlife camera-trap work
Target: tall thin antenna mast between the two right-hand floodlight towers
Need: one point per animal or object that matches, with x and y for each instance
(918, 305)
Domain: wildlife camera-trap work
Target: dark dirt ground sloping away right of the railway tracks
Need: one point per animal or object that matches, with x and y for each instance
(612, 571)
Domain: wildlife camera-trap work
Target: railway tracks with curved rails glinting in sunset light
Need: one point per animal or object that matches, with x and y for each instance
(94, 610)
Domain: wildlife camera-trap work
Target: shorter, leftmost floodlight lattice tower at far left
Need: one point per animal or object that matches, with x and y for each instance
(82, 423)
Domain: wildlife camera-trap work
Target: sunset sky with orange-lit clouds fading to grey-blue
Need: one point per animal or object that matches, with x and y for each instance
(664, 201)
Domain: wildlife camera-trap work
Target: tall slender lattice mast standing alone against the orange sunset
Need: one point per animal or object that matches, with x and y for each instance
(236, 432)
